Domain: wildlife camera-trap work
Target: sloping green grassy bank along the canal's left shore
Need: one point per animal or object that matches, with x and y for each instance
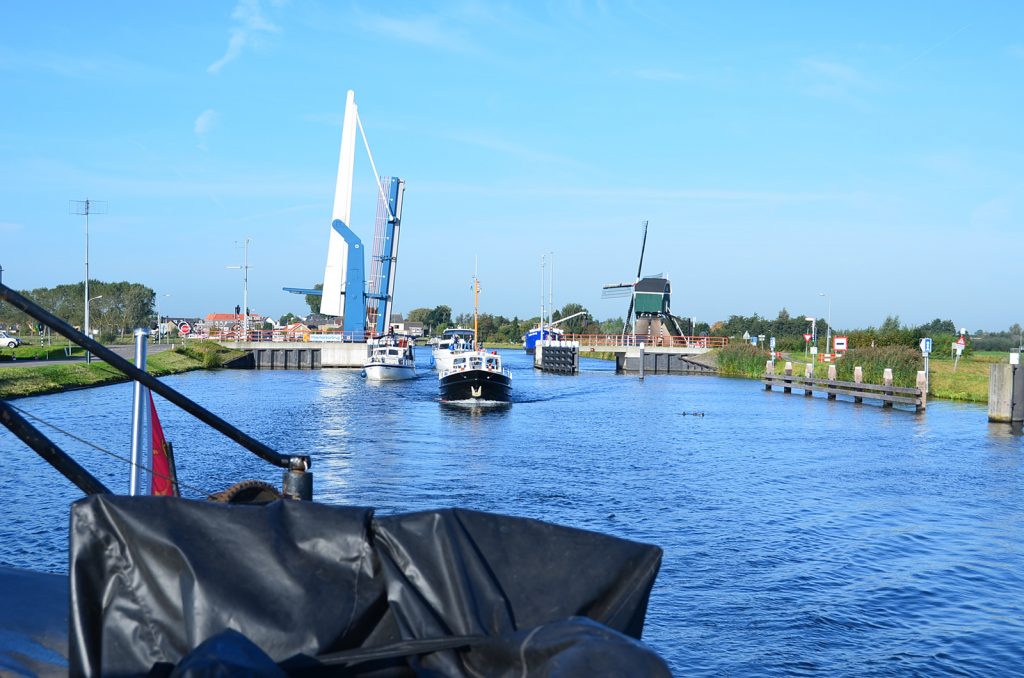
(38, 380)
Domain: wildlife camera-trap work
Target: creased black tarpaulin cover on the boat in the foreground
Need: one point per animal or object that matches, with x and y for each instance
(164, 584)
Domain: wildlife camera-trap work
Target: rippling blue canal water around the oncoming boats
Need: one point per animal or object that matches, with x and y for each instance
(800, 535)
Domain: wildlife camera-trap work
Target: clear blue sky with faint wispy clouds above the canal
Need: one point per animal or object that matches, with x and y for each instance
(871, 151)
